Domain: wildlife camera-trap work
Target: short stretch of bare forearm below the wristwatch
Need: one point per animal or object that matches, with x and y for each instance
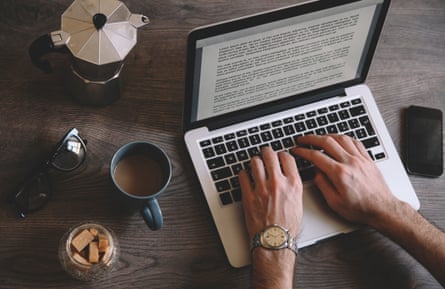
(273, 269)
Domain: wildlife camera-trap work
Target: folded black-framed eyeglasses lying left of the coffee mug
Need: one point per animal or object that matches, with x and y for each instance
(35, 192)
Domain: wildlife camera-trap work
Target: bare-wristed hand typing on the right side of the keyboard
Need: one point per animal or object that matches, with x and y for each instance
(349, 180)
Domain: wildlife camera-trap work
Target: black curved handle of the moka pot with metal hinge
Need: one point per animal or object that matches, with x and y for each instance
(48, 43)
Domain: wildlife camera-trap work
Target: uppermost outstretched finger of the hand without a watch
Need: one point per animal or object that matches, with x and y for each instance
(328, 143)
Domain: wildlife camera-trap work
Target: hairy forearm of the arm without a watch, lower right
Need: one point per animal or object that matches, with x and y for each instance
(419, 237)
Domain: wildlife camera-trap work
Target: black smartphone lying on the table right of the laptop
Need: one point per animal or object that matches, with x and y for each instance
(424, 141)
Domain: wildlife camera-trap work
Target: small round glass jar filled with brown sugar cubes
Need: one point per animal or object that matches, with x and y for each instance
(88, 251)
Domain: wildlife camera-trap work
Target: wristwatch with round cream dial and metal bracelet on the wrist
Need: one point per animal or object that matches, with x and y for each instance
(275, 237)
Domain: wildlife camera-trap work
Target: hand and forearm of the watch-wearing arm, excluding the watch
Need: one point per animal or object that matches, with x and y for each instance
(274, 197)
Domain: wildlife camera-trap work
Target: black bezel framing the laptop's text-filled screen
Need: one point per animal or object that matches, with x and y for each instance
(270, 107)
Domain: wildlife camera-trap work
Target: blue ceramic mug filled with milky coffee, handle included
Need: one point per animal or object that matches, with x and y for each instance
(140, 172)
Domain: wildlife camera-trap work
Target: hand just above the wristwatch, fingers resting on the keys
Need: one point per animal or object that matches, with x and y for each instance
(275, 196)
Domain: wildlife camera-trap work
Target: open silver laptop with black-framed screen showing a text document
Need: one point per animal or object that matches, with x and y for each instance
(268, 78)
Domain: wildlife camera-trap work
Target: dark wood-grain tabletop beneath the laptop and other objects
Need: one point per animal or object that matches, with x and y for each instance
(35, 111)
